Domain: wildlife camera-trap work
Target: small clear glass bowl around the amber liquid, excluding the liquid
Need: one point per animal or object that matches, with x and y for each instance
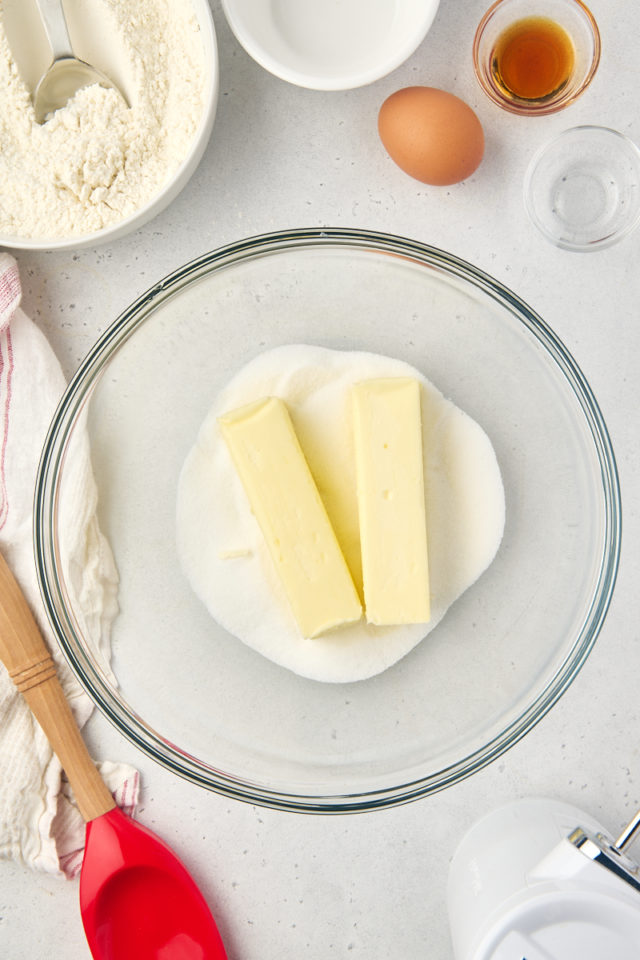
(577, 21)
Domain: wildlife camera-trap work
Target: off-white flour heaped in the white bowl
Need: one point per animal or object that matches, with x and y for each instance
(96, 161)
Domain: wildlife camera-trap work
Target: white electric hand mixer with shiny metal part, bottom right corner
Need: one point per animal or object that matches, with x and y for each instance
(541, 880)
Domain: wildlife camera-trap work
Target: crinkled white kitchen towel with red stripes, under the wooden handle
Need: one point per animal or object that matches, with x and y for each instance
(39, 822)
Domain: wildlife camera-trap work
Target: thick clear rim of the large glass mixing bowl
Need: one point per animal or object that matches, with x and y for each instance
(126, 721)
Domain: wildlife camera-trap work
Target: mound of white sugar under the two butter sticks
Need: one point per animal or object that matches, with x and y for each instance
(221, 547)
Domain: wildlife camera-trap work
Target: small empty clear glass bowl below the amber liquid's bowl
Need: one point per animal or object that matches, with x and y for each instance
(582, 189)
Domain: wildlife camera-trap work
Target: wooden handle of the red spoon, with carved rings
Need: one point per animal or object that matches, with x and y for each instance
(31, 667)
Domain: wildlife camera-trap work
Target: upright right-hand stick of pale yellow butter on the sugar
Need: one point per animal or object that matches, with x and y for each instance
(391, 500)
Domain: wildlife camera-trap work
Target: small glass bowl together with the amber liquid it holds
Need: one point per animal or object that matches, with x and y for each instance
(535, 54)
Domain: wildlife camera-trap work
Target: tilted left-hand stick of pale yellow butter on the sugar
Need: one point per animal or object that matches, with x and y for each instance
(285, 500)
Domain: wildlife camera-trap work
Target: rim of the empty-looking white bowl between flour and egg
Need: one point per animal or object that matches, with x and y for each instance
(338, 81)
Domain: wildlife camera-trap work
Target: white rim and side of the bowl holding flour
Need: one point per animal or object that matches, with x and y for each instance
(174, 185)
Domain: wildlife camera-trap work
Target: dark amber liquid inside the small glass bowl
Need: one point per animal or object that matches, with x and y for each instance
(533, 59)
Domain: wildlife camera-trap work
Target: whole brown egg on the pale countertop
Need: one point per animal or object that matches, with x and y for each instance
(432, 135)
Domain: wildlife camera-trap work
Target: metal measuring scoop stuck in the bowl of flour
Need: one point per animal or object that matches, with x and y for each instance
(67, 74)
